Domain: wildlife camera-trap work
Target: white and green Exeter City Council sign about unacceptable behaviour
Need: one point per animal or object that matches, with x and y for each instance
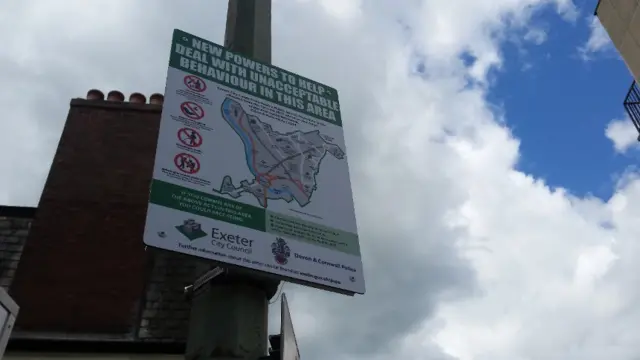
(258, 175)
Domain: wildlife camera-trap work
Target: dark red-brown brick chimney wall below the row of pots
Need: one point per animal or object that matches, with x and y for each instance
(84, 269)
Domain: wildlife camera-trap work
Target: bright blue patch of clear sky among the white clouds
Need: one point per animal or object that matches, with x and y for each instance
(560, 106)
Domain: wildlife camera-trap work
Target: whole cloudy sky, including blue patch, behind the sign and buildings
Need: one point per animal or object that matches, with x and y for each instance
(514, 236)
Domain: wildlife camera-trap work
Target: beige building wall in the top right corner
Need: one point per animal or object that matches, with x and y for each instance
(621, 19)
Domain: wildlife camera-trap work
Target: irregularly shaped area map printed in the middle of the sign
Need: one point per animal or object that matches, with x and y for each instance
(284, 165)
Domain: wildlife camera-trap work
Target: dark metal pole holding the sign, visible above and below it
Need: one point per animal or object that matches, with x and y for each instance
(229, 314)
